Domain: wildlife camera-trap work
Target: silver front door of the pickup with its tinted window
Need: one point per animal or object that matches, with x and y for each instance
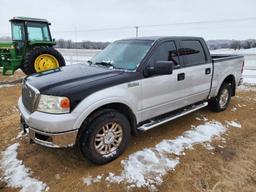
(163, 93)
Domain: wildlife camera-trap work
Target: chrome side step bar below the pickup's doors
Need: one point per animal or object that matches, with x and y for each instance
(160, 121)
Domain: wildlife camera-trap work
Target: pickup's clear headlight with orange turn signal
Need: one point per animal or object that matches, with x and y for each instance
(53, 104)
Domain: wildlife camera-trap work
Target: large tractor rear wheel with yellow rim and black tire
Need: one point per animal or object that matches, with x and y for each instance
(41, 59)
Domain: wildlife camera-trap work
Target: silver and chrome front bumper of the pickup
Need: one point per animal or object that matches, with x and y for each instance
(55, 131)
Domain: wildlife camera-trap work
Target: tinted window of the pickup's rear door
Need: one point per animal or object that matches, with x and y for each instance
(192, 52)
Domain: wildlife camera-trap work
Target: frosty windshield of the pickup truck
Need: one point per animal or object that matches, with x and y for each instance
(124, 54)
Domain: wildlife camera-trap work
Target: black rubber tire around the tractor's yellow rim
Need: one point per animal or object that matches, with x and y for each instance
(28, 66)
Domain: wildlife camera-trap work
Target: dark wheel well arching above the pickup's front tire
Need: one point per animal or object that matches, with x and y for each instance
(121, 108)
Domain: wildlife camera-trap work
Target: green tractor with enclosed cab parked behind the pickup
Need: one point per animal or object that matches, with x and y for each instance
(31, 48)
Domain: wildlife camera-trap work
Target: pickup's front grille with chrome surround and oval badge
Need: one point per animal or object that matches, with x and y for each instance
(29, 97)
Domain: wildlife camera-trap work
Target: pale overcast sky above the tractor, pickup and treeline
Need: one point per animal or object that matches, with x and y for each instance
(79, 19)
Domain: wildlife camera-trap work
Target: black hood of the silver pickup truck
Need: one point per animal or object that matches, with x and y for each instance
(78, 81)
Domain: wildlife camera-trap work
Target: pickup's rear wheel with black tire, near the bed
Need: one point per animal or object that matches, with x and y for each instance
(222, 100)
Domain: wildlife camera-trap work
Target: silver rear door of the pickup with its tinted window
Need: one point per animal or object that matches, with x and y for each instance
(197, 69)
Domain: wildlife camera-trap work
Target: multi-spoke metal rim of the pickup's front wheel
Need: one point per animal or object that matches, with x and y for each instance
(108, 138)
